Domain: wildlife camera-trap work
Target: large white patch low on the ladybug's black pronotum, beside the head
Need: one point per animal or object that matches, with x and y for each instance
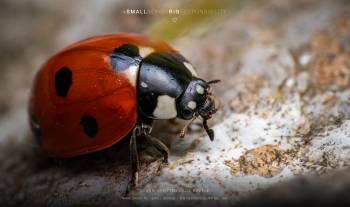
(165, 108)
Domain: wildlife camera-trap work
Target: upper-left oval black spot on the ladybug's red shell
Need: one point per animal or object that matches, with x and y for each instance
(63, 81)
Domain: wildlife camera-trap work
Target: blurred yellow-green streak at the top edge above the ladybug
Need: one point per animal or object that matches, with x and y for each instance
(205, 12)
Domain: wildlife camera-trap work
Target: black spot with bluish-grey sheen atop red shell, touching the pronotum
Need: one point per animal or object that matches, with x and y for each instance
(125, 56)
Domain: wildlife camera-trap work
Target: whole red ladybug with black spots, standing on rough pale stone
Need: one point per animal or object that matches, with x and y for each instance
(96, 92)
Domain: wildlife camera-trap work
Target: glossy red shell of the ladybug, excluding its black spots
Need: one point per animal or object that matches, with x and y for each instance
(97, 90)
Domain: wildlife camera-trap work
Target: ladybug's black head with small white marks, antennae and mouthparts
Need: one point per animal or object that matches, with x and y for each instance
(197, 101)
